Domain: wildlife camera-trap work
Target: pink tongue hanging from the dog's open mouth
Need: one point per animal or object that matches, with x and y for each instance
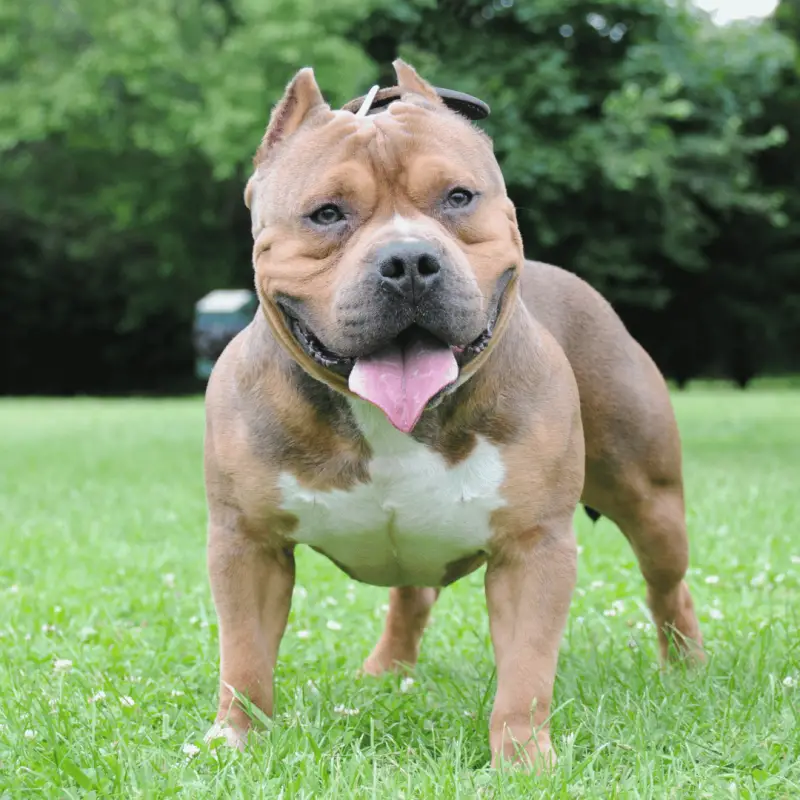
(400, 380)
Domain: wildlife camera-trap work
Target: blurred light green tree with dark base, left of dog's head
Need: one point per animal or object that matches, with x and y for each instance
(125, 133)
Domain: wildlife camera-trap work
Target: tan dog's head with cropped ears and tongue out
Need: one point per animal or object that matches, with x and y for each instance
(386, 249)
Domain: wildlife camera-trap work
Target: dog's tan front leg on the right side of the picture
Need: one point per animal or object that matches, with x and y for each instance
(529, 584)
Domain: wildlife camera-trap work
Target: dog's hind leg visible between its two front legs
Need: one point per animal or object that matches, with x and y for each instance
(398, 647)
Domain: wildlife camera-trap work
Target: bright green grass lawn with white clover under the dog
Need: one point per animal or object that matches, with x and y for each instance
(102, 562)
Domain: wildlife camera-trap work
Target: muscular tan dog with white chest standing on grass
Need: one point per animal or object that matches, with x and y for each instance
(415, 400)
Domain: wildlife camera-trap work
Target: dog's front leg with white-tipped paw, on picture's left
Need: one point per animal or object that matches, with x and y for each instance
(252, 582)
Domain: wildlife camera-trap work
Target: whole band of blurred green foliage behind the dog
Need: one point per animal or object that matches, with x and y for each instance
(646, 149)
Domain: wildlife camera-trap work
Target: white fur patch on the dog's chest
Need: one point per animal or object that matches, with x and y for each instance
(415, 516)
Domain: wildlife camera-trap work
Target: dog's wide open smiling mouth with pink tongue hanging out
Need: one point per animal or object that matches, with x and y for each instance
(403, 376)
